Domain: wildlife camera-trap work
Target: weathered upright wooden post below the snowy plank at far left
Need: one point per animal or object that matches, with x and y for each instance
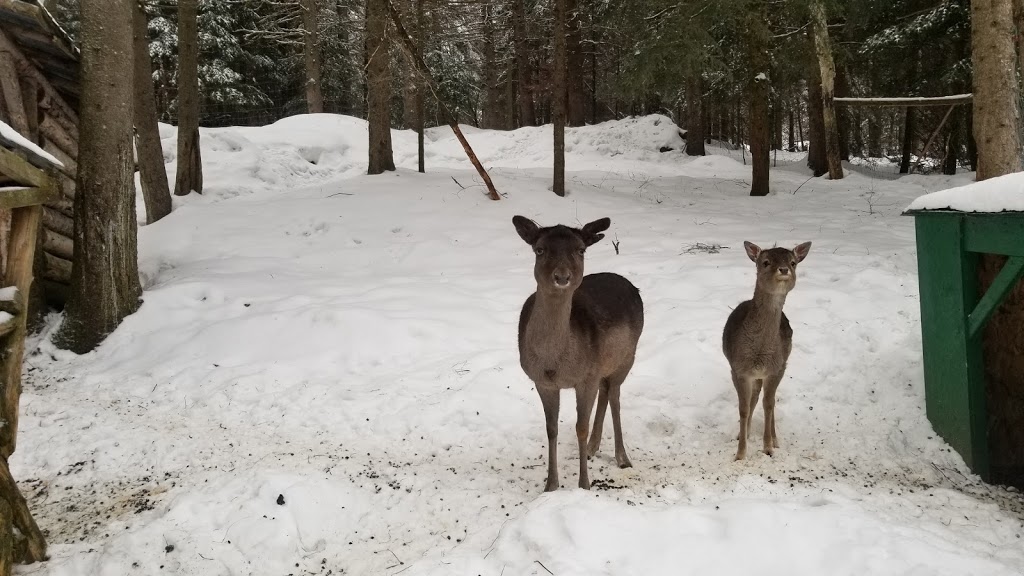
(25, 223)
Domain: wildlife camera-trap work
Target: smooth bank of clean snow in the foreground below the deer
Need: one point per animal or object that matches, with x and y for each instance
(583, 536)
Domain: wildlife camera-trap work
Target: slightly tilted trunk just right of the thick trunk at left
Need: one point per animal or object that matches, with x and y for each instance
(153, 174)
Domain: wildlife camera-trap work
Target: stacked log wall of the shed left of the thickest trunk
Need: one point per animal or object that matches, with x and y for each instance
(34, 108)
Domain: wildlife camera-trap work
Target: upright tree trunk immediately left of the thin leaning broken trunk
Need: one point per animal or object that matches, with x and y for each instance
(379, 89)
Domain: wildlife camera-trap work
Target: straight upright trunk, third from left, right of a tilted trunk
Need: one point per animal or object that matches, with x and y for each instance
(190, 174)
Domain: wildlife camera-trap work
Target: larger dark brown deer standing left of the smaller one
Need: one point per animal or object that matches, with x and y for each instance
(578, 333)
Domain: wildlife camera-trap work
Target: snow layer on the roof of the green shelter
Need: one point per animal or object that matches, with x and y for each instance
(995, 195)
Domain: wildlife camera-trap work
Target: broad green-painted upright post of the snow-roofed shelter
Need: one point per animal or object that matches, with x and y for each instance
(954, 375)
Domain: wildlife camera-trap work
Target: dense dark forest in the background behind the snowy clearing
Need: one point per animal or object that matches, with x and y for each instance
(735, 72)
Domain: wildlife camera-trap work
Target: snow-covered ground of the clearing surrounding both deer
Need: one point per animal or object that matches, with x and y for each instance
(324, 378)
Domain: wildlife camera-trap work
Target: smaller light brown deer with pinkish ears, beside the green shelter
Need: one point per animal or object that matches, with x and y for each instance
(758, 340)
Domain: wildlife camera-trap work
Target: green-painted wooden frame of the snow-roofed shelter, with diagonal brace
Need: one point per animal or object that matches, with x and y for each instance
(953, 315)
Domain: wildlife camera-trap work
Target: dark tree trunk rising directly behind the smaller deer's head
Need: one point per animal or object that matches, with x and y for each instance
(758, 94)
